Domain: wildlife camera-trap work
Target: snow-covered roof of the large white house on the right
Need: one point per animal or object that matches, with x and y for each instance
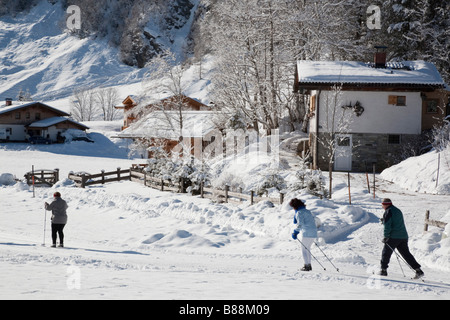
(411, 73)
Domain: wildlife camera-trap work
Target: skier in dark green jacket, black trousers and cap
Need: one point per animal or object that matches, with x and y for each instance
(396, 237)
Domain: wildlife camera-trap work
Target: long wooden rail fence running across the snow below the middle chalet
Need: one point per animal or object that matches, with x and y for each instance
(138, 174)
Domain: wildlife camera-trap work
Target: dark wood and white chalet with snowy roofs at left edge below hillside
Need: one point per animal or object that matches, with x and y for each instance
(20, 121)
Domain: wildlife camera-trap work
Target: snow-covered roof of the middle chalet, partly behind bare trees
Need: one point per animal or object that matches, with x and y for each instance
(165, 124)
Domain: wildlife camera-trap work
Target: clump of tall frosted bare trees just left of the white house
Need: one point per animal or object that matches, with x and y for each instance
(255, 66)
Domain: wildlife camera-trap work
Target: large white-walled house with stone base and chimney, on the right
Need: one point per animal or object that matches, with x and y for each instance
(365, 114)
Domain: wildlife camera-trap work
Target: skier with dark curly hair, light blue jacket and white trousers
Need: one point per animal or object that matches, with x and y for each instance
(306, 224)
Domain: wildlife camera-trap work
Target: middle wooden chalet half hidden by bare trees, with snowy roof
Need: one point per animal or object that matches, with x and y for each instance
(173, 122)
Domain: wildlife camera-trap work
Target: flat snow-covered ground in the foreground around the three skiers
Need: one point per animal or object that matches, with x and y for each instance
(127, 241)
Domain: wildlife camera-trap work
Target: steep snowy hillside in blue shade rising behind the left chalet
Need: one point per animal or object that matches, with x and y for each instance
(36, 55)
